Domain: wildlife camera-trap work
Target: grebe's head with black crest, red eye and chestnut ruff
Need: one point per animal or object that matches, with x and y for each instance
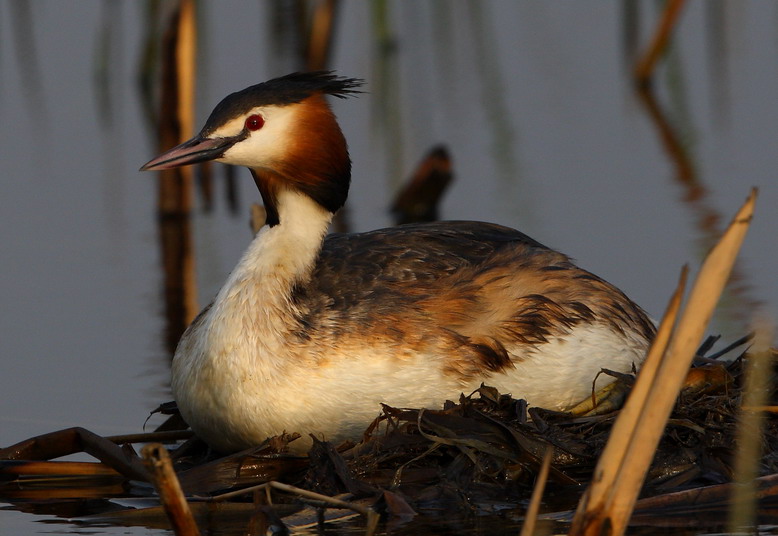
(284, 131)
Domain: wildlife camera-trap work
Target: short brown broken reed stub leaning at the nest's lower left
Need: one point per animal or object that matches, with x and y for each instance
(157, 461)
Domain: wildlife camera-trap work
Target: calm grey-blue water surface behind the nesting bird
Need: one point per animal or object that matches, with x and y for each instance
(532, 99)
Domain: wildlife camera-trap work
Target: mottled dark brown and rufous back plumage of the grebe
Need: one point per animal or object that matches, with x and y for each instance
(453, 275)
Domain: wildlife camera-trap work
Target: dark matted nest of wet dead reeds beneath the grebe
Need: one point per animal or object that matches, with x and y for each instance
(480, 454)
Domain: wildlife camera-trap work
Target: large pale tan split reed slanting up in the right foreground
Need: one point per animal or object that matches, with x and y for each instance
(621, 469)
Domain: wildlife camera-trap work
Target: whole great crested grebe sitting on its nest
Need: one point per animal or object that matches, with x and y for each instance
(311, 332)
